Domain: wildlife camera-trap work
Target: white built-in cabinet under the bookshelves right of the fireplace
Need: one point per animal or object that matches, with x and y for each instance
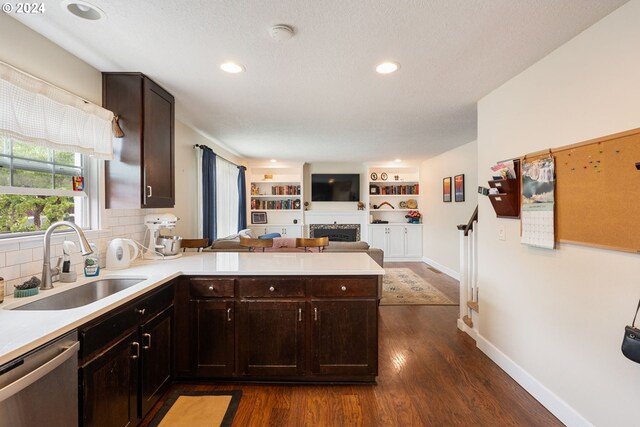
(399, 242)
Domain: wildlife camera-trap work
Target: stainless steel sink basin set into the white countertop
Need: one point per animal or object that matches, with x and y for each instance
(82, 295)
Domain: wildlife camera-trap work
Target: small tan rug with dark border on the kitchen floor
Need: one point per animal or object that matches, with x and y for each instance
(198, 409)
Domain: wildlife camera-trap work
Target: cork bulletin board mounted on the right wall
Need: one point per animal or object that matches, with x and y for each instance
(598, 192)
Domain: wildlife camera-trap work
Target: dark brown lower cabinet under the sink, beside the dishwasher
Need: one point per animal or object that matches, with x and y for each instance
(126, 360)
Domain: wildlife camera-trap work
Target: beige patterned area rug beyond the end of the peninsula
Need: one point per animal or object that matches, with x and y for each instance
(401, 286)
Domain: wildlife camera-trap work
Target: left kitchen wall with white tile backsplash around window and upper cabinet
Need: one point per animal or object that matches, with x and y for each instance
(27, 50)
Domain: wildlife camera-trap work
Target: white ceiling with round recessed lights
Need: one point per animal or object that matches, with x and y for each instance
(317, 97)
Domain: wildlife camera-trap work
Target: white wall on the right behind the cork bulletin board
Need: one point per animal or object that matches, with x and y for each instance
(558, 315)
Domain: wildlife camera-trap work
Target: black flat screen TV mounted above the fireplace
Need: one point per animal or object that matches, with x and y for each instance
(334, 187)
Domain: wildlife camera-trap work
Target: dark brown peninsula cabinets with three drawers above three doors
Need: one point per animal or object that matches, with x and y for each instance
(317, 328)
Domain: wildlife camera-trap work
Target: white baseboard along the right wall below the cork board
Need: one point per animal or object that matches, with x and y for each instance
(558, 407)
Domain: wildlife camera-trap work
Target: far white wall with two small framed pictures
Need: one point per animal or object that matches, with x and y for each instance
(441, 247)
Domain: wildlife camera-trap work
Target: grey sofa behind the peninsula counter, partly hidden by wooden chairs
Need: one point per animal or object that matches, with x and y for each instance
(287, 244)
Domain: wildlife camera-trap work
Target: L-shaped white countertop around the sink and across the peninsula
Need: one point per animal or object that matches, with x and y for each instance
(22, 331)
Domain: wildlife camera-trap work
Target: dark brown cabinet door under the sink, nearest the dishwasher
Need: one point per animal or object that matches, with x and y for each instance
(110, 385)
